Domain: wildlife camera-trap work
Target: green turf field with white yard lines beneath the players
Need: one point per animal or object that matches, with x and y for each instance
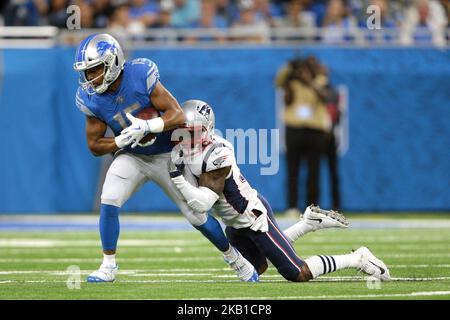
(183, 265)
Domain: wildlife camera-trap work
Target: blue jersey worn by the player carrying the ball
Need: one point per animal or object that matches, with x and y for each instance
(139, 79)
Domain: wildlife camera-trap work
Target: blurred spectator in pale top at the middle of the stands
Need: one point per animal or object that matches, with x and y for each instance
(247, 27)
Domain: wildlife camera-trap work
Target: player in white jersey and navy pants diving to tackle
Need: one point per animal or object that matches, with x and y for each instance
(250, 224)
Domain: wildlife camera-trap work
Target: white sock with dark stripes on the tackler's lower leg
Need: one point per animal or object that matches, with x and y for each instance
(319, 265)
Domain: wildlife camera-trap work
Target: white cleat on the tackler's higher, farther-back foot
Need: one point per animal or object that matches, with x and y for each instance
(321, 219)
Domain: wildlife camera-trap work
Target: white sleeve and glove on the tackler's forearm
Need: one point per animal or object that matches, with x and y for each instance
(199, 199)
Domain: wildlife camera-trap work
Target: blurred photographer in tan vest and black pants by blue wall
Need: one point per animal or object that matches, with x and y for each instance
(307, 123)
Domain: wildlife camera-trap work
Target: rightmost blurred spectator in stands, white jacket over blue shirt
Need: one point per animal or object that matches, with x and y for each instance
(424, 24)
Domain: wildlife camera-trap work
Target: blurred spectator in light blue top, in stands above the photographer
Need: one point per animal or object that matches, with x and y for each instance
(338, 25)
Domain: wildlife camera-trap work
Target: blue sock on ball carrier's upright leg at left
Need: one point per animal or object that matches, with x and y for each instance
(109, 226)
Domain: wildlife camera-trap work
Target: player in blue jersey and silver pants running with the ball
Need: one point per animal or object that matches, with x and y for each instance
(111, 91)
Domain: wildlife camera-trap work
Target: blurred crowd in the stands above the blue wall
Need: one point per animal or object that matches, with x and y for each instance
(413, 21)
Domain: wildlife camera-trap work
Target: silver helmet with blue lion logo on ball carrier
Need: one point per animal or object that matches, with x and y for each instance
(95, 50)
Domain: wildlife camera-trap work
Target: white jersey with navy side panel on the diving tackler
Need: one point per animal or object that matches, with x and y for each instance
(238, 198)
